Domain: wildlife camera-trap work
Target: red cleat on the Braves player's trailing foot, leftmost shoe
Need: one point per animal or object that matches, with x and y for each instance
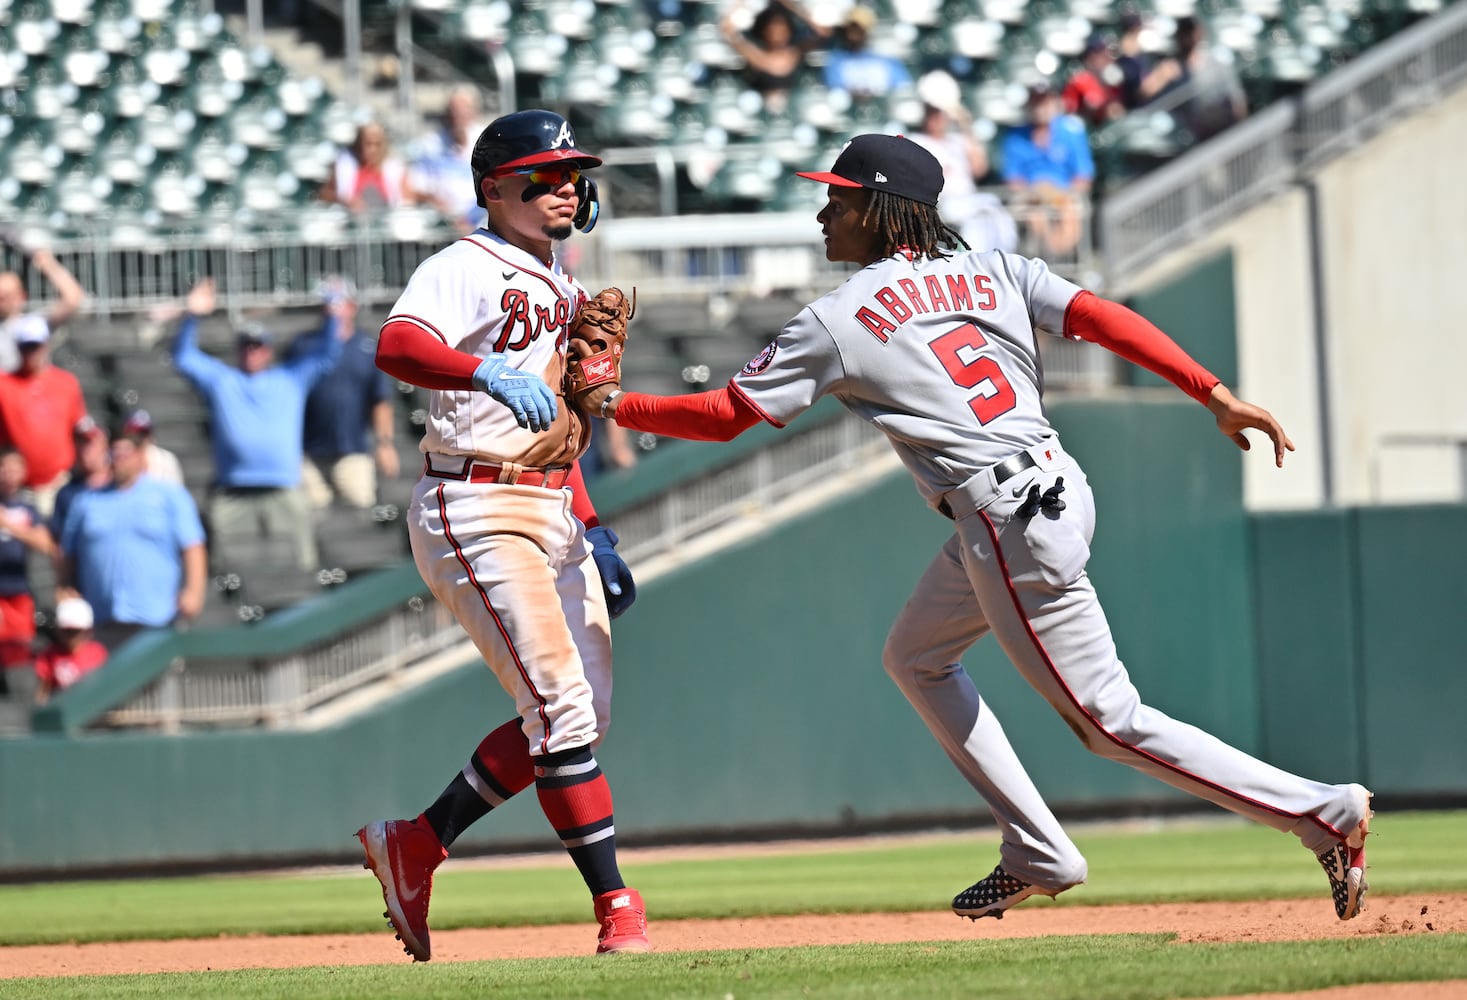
(403, 854)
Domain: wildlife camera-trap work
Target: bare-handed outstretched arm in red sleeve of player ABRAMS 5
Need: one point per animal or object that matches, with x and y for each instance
(1135, 338)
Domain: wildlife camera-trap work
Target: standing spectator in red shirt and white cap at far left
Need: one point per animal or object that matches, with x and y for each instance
(40, 410)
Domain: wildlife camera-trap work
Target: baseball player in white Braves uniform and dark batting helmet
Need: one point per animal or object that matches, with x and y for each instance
(501, 524)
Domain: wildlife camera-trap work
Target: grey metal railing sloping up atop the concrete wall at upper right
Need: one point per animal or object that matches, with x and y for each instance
(1264, 155)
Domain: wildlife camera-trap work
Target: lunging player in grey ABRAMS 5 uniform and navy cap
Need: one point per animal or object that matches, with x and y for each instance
(938, 350)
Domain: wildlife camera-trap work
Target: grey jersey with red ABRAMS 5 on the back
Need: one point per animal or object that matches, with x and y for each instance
(938, 354)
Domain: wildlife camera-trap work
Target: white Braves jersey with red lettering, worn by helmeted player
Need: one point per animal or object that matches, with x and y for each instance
(483, 295)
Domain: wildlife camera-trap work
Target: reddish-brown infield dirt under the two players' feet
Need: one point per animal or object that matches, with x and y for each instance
(1258, 922)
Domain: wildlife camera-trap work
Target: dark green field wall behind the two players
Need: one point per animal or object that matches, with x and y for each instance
(752, 700)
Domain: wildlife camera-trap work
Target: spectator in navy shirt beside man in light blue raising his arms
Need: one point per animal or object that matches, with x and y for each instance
(344, 404)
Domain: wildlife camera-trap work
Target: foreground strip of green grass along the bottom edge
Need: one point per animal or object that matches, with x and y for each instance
(1063, 968)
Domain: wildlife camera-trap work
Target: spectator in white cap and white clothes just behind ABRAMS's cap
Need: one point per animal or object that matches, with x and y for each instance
(947, 131)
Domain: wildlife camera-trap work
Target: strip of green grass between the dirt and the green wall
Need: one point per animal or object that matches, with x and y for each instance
(1409, 853)
